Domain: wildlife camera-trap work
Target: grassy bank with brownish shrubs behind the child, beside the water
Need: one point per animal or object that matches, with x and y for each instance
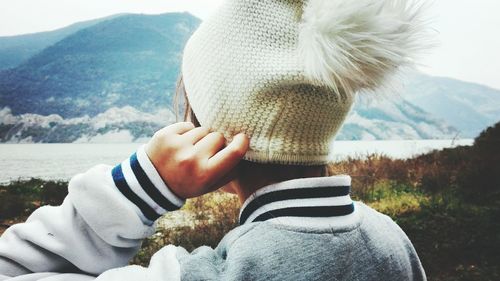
(448, 203)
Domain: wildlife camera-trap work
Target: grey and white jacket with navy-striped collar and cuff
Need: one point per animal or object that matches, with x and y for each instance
(303, 229)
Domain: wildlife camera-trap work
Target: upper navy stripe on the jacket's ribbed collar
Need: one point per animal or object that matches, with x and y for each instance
(296, 193)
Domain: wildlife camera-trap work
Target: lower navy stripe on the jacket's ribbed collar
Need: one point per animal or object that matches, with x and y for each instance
(323, 211)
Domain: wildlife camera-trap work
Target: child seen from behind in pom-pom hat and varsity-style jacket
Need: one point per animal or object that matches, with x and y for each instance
(274, 79)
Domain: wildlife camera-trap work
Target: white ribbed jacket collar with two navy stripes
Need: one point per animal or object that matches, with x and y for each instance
(320, 197)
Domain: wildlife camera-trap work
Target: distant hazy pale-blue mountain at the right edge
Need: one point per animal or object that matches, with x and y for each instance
(468, 107)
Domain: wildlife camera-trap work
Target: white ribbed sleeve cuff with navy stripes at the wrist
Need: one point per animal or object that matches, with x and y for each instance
(137, 179)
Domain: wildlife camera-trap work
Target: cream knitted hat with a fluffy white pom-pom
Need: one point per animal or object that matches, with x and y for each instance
(285, 72)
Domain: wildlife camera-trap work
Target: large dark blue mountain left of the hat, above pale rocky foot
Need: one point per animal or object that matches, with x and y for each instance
(130, 60)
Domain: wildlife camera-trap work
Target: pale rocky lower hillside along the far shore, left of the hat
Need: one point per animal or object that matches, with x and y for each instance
(115, 125)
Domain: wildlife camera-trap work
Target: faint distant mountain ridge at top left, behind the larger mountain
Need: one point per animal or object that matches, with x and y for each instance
(16, 49)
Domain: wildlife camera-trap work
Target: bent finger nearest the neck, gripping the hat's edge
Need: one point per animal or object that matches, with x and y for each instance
(226, 159)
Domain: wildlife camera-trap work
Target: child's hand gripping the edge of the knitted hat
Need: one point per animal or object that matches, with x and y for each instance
(192, 161)
